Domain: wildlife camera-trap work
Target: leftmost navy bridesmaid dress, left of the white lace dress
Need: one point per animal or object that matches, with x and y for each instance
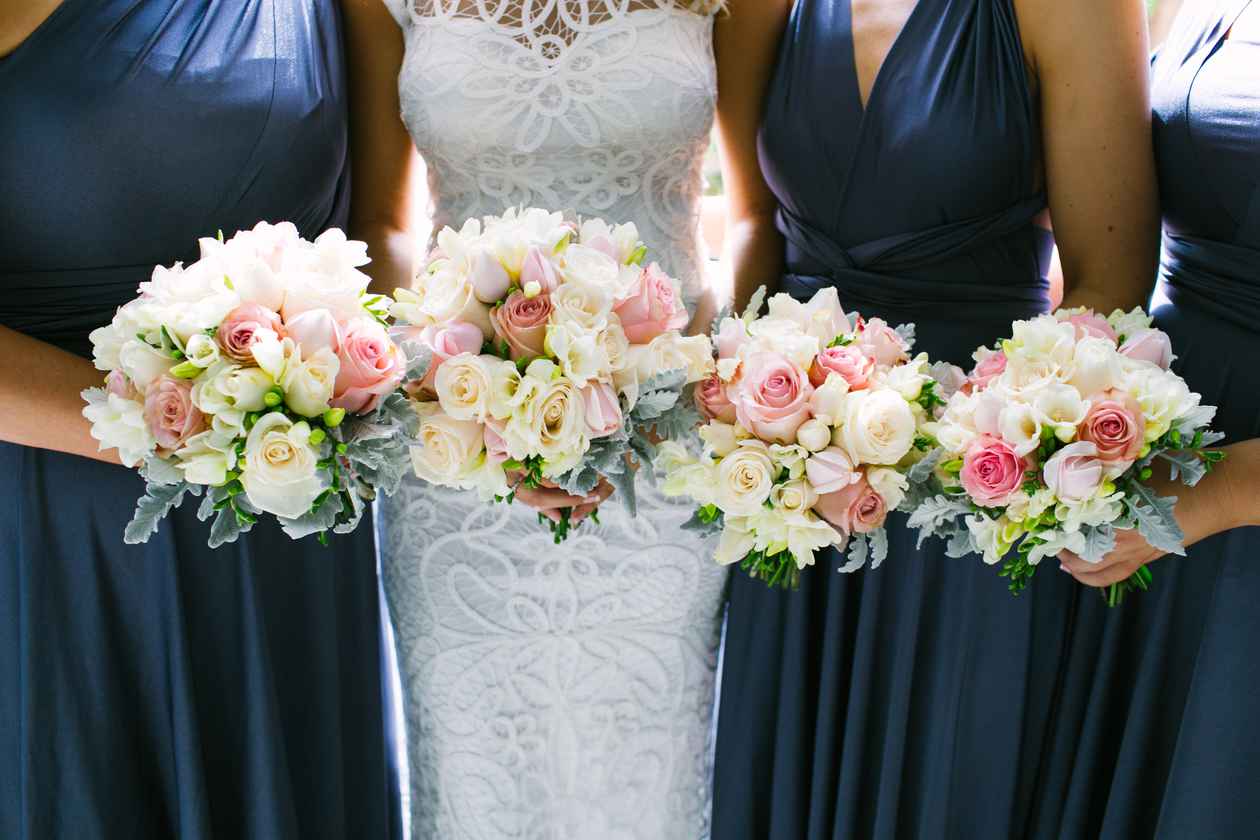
(168, 691)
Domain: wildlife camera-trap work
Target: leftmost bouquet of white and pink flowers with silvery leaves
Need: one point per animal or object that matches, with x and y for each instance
(261, 375)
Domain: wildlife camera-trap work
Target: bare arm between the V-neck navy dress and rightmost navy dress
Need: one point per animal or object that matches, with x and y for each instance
(1092, 64)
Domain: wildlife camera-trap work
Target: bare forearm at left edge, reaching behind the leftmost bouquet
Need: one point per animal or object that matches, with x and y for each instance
(46, 411)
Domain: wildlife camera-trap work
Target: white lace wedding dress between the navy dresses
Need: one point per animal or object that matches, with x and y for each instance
(558, 693)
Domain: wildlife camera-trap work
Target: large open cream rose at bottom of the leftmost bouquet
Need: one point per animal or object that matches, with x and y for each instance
(280, 474)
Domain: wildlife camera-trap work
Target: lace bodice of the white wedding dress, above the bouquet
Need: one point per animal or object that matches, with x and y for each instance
(597, 108)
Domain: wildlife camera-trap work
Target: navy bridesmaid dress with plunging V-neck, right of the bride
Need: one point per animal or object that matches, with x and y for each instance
(910, 701)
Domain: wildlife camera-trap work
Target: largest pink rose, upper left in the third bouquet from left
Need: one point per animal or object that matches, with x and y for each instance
(772, 400)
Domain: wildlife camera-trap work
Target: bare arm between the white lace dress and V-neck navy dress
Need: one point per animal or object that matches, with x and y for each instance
(747, 43)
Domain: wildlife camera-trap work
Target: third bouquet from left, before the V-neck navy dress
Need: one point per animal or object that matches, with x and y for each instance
(813, 423)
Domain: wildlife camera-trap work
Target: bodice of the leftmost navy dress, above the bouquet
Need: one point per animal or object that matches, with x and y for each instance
(135, 127)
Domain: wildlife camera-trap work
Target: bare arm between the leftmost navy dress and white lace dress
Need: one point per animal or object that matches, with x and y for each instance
(381, 149)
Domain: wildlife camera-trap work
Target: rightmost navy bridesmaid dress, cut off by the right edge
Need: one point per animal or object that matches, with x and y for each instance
(1157, 736)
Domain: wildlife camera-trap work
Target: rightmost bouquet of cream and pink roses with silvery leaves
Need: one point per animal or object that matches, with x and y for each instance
(1049, 441)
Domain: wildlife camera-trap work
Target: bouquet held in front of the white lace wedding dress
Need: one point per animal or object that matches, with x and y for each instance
(556, 357)
